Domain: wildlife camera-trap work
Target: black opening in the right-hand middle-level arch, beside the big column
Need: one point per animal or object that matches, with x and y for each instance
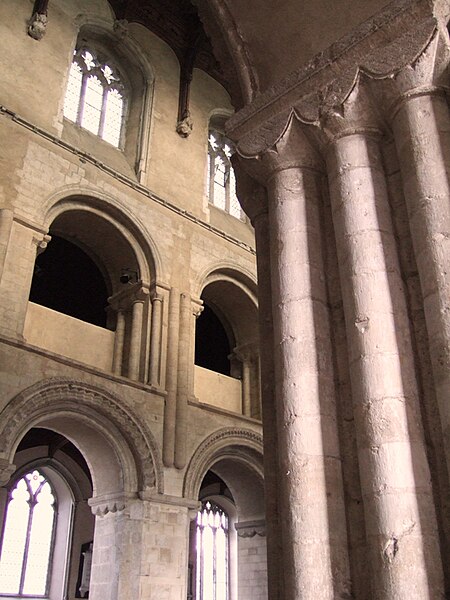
(212, 347)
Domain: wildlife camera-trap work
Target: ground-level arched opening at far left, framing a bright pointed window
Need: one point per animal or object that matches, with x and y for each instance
(46, 525)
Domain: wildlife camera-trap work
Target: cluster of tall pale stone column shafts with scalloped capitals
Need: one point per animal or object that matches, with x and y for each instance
(403, 535)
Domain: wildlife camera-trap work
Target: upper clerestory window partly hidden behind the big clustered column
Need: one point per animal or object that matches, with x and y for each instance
(221, 181)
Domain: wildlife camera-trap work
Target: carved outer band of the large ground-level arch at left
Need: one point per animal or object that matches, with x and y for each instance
(62, 394)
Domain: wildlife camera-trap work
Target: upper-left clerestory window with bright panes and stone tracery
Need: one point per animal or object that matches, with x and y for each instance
(95, 96)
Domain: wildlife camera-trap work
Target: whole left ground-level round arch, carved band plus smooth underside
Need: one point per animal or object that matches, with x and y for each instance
(121, 452)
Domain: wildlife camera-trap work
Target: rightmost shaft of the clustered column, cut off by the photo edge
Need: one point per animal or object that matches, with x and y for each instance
(422, 136)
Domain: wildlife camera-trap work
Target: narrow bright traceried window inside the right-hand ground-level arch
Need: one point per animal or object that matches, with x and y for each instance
(212, 553)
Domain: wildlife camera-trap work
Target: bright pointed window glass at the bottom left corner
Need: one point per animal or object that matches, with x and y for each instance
(28, 537)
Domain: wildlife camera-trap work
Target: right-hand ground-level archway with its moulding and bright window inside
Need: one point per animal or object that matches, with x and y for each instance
(231, 493)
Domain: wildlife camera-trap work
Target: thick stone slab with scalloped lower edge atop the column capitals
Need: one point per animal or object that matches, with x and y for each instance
(379, 48)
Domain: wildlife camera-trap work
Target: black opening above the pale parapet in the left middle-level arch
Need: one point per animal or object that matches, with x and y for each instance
(67, 280)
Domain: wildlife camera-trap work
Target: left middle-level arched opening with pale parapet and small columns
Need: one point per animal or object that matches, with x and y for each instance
(89, 294)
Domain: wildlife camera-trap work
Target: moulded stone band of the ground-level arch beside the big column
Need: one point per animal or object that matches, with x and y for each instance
(242, 443)
